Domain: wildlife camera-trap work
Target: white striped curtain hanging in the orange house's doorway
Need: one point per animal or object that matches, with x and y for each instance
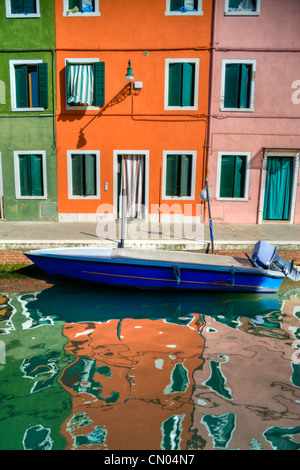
(132, 182)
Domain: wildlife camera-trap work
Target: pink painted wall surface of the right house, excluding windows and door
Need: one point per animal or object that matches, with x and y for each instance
(273, 40)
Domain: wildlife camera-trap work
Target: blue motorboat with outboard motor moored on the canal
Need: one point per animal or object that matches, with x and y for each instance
(264, 271)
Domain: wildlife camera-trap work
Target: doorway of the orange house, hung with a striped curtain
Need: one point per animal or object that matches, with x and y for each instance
(131, 177)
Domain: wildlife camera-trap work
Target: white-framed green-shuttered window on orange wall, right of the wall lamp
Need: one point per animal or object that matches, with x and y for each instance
(181, 84)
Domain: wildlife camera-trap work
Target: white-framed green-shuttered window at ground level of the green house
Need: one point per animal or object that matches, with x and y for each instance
(30, 175)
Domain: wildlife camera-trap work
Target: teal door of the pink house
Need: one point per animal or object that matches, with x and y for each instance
(279, 188)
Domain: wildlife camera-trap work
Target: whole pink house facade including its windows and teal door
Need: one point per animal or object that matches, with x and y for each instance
(254, 116)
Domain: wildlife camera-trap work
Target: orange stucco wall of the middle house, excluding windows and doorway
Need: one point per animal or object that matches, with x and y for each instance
(140, 31)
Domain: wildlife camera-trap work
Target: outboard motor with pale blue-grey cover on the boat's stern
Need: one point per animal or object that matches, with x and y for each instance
(266, 256)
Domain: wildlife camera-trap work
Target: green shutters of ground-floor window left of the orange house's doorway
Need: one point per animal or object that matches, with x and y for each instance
(84, 174)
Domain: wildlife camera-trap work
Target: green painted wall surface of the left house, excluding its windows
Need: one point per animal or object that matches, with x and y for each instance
(27, 39)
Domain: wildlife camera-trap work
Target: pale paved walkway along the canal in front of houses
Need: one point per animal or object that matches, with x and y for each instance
(24, 235)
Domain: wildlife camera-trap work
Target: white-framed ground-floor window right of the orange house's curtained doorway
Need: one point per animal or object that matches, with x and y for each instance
(179, 175)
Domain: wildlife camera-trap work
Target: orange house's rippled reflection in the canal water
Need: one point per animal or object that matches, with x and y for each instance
(131, 383)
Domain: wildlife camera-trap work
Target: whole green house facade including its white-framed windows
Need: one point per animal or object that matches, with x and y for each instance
(27, 111)
